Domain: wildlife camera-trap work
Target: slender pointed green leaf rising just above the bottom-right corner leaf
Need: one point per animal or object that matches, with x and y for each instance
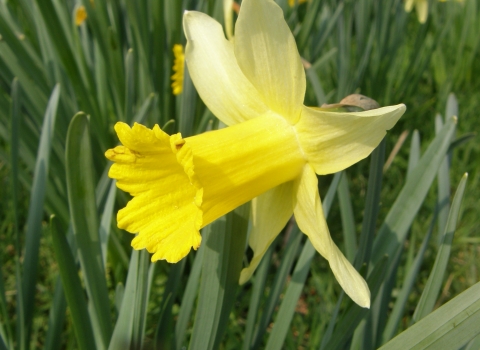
(432, 288)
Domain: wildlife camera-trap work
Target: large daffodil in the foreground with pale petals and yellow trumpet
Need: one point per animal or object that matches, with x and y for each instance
(270, 153)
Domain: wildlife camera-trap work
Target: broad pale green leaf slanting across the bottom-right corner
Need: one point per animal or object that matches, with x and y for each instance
(449, 327)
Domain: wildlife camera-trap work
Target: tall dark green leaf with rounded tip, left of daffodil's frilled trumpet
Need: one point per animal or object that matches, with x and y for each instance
(83, 214)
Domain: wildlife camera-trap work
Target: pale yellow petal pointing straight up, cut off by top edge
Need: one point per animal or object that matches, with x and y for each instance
(267, 54)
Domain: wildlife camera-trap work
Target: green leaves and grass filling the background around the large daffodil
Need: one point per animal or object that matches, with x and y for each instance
(73, 281)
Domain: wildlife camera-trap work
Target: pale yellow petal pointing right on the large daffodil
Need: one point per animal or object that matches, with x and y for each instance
(334, 141)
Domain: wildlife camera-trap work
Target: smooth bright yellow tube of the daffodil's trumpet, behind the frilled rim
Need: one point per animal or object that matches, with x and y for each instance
(238, 163)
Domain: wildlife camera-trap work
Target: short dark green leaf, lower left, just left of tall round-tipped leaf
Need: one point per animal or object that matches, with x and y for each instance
(73, 289)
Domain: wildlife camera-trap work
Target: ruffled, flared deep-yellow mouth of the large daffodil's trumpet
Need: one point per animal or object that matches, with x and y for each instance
(167, 222)
